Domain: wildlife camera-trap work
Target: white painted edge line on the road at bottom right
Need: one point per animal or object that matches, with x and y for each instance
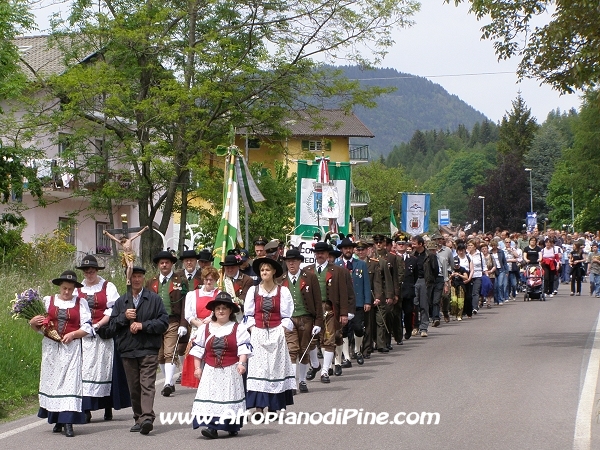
(583, 420)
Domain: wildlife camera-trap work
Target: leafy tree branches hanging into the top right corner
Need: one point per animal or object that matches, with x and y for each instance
(562, 53)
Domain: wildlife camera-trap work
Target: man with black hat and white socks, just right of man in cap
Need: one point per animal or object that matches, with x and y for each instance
(172, 288)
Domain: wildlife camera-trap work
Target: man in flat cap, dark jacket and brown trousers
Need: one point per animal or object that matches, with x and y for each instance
(137, 322)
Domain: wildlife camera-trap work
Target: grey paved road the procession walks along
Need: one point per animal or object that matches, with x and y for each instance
(514, 377)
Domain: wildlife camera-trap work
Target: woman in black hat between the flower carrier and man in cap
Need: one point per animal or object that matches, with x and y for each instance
(104, 382)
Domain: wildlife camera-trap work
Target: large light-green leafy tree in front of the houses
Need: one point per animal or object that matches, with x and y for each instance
(166, 80)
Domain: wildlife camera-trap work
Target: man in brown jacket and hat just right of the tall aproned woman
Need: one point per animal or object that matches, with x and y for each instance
(308, 313)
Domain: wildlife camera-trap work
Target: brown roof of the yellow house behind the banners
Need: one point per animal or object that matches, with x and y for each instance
(323, 122)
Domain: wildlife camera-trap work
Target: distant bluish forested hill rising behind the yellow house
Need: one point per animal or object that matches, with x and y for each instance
(417, 104)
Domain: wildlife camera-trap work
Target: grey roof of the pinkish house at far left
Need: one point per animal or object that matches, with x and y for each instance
(36, 53)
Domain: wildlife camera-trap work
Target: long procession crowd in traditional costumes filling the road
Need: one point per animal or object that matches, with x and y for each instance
(251, 335)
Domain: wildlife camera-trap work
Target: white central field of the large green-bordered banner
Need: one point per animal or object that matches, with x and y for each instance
(326, 202)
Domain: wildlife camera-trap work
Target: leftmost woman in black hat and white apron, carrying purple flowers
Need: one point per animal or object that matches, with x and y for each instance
(61, 386)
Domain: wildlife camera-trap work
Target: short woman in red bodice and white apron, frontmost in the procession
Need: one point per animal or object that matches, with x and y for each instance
(220, 351)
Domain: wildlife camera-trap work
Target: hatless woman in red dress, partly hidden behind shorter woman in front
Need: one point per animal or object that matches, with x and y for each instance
(197, 314)
